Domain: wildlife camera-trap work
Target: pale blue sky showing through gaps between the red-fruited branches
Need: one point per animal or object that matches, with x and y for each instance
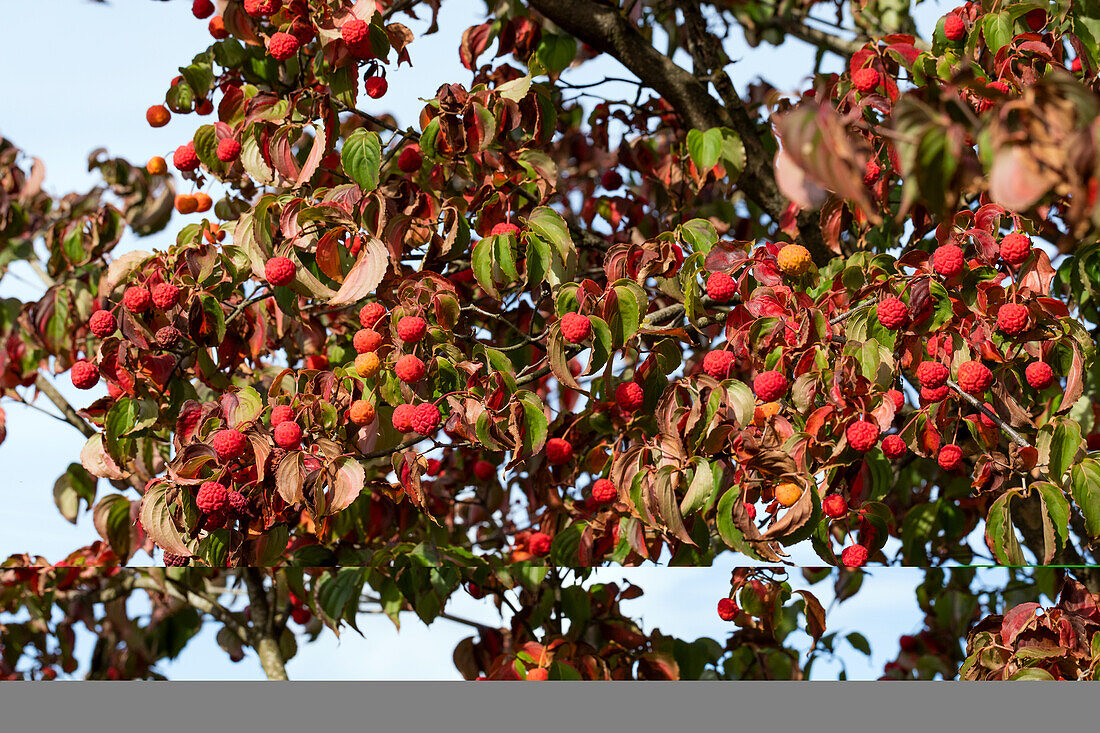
(80, 76)
